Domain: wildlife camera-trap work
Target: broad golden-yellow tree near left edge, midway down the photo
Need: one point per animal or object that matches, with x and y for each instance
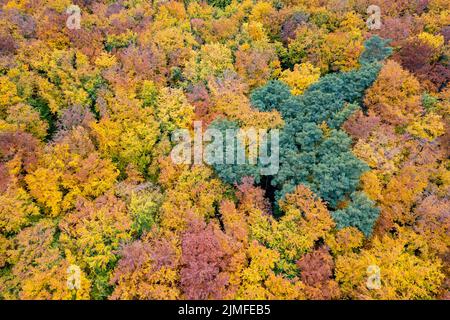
(66, 172)
